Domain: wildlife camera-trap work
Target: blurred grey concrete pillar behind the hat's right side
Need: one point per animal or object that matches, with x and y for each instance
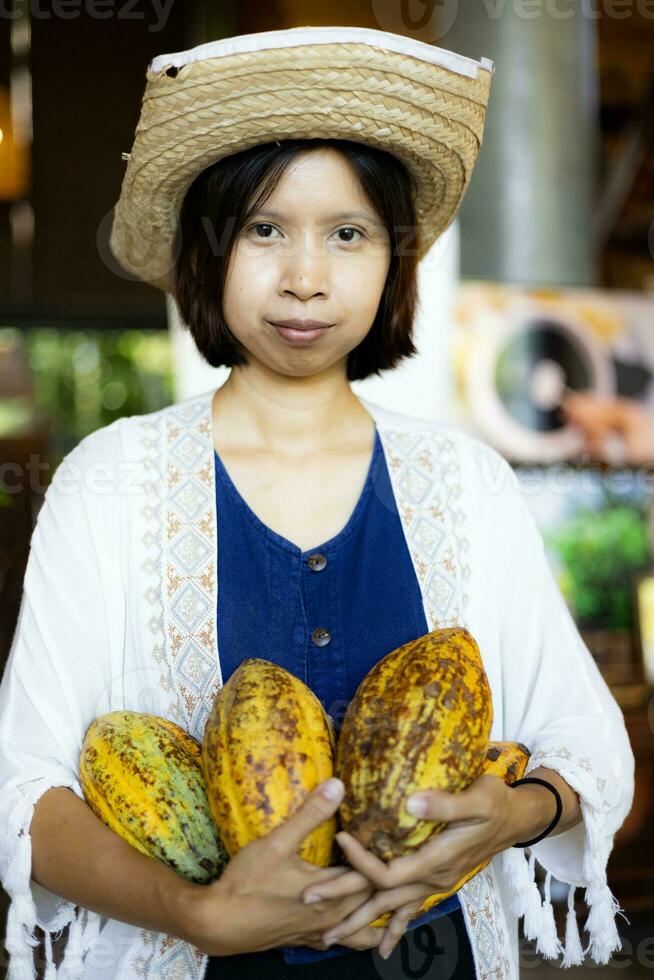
(528, 212)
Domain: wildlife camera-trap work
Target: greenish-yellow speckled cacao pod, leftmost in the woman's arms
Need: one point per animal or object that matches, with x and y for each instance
(142, 776)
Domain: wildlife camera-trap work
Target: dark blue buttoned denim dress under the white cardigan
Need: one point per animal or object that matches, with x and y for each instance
(327, 615)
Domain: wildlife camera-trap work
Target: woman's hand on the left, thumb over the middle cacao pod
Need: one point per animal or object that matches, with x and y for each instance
(256, 904)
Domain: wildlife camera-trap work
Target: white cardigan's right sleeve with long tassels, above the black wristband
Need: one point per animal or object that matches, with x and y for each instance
(557, 703)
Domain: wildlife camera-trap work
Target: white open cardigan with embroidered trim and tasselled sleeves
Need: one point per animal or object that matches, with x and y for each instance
(118, 612)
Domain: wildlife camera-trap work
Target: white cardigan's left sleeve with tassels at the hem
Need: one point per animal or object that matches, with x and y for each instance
(47, 699)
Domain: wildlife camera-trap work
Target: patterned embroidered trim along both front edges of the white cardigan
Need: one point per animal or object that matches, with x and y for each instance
(425, 476)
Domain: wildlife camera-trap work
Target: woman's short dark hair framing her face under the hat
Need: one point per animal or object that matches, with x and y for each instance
(220, 200)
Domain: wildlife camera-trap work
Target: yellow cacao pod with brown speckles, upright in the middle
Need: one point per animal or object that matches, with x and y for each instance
(267, 744)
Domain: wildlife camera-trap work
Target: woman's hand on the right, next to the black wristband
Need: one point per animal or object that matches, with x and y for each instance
(479, 825)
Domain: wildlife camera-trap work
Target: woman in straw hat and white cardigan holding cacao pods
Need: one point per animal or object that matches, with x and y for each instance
(283, 516)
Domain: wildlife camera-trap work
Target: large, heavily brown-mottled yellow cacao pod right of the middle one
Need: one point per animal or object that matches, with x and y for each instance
(420, 719)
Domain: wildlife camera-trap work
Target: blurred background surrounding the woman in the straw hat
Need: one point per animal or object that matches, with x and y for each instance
(536, 325)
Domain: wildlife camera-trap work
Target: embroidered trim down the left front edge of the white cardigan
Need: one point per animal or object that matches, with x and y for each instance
(182, 594)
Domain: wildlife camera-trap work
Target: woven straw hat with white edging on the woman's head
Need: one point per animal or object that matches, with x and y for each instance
(424, 104)
